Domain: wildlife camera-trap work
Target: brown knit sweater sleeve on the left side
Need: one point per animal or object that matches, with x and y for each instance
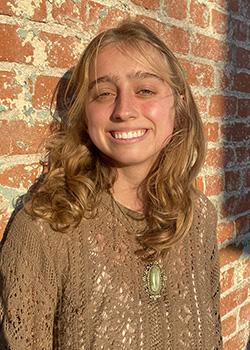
(29, 287)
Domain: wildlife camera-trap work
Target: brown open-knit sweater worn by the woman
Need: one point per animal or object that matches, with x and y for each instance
(85, 290)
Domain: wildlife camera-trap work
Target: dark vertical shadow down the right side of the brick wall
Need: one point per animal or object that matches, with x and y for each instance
(235, 133)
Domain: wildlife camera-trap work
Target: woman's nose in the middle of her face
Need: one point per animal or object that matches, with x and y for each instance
(124, 107)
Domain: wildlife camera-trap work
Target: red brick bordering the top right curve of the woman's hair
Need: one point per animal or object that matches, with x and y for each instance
(177, 39)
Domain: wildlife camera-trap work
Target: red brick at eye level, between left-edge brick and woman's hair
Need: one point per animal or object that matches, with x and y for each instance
(44, 88)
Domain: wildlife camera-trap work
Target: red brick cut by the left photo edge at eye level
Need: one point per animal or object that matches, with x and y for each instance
(9, 89)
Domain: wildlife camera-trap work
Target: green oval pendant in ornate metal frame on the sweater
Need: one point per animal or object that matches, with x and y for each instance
(154, 280)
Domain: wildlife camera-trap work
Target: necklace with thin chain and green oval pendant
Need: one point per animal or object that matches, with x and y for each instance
(154, 277)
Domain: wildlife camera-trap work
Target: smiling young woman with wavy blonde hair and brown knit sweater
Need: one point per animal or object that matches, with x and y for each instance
(116, 249)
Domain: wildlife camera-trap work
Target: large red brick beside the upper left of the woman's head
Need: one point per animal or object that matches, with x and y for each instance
(60, 50)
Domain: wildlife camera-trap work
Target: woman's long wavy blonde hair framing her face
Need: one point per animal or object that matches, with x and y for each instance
(78, 172)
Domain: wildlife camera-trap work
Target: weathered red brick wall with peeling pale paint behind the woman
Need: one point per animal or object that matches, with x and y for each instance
(40, 39)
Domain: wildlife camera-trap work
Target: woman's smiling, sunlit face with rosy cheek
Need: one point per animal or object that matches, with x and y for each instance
(129, 109)
